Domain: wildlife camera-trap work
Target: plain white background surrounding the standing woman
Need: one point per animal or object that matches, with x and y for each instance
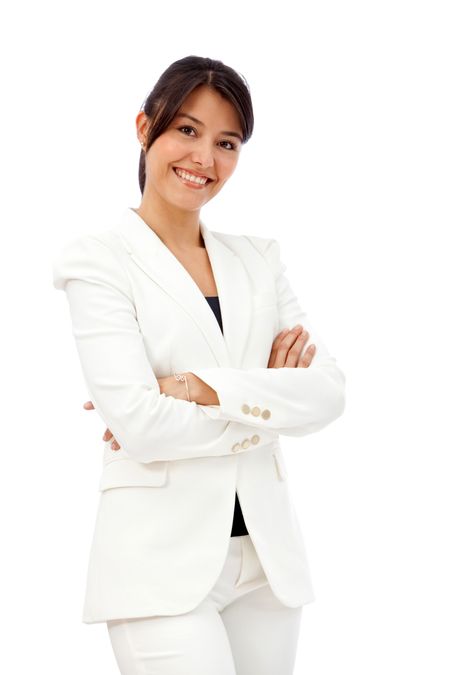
(348, 168)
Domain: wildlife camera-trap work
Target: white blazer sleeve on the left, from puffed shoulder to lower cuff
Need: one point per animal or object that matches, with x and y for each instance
(148, 425)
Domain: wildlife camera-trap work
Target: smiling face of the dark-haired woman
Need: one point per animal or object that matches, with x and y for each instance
(208, 147)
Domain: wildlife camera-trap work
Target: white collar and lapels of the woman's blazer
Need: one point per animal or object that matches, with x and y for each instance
(149, 252)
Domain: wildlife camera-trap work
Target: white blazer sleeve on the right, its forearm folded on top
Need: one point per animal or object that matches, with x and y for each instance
(290, 401)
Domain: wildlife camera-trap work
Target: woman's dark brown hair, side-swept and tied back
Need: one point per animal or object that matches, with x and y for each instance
(178, 81)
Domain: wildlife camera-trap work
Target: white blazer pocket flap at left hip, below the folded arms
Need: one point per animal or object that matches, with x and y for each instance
(129, 473)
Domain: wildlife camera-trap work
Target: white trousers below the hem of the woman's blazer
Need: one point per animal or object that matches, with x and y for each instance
(240, 628)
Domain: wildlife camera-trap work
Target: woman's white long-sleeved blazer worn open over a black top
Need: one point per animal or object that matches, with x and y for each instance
(167, 496)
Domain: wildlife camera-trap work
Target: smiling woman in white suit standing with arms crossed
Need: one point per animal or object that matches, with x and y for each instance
(193, 348)
